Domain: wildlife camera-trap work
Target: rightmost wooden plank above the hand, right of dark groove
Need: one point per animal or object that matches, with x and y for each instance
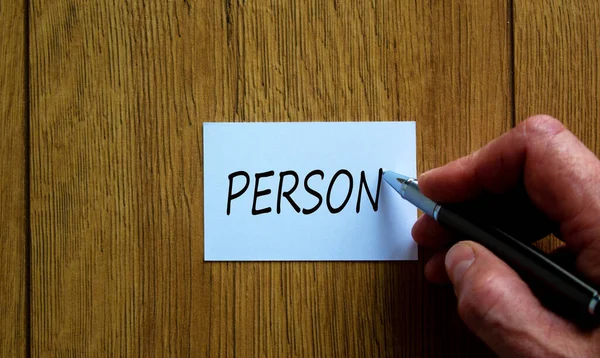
(557, 67)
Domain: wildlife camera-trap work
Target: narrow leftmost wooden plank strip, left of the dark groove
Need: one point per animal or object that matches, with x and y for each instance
(13, 183)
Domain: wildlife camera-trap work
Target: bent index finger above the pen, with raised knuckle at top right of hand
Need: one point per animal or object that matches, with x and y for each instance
(560, 174)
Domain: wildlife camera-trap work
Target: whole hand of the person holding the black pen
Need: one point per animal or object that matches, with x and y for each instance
(562, 178)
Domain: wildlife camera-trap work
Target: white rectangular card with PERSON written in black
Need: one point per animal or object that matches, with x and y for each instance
(290, 191)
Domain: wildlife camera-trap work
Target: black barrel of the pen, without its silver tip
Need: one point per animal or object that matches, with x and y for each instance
(543, 275)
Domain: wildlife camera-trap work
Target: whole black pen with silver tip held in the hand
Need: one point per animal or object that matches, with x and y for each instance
(569, 293)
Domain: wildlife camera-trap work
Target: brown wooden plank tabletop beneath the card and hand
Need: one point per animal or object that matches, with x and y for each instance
(101, 235)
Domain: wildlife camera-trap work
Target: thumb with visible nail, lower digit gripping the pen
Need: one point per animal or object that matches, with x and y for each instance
(500, 308)
